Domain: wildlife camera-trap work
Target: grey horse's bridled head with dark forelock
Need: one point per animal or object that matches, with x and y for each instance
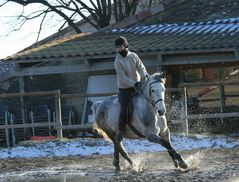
(156, 92)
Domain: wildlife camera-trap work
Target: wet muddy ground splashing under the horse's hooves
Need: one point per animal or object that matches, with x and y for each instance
(206, 165)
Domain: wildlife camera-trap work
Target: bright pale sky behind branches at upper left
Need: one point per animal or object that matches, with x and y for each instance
(18, 40)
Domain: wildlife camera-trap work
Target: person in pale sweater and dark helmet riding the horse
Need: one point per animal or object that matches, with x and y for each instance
(130, 71)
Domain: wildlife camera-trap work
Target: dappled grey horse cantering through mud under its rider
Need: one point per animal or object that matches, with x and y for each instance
(148, 119)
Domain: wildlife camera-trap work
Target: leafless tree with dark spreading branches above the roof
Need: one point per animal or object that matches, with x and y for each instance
(98, 13)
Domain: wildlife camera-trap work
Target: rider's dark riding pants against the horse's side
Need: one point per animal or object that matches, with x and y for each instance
(124, 98)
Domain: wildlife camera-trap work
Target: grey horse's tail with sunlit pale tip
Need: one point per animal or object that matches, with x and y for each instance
(96, 125)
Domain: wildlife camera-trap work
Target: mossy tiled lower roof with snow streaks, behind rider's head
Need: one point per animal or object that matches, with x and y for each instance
(218, 34)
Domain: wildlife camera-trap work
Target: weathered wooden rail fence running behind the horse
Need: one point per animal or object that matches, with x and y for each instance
(88, 127)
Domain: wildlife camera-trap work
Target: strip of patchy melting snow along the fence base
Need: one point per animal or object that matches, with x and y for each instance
(89, 146)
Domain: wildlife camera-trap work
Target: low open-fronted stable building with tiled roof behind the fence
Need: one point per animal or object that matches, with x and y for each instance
(188, 52)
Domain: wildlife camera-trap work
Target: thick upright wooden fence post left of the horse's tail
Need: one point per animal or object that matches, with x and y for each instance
(58, 114)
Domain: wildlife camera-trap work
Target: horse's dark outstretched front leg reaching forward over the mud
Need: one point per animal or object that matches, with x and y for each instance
(177, 159)
